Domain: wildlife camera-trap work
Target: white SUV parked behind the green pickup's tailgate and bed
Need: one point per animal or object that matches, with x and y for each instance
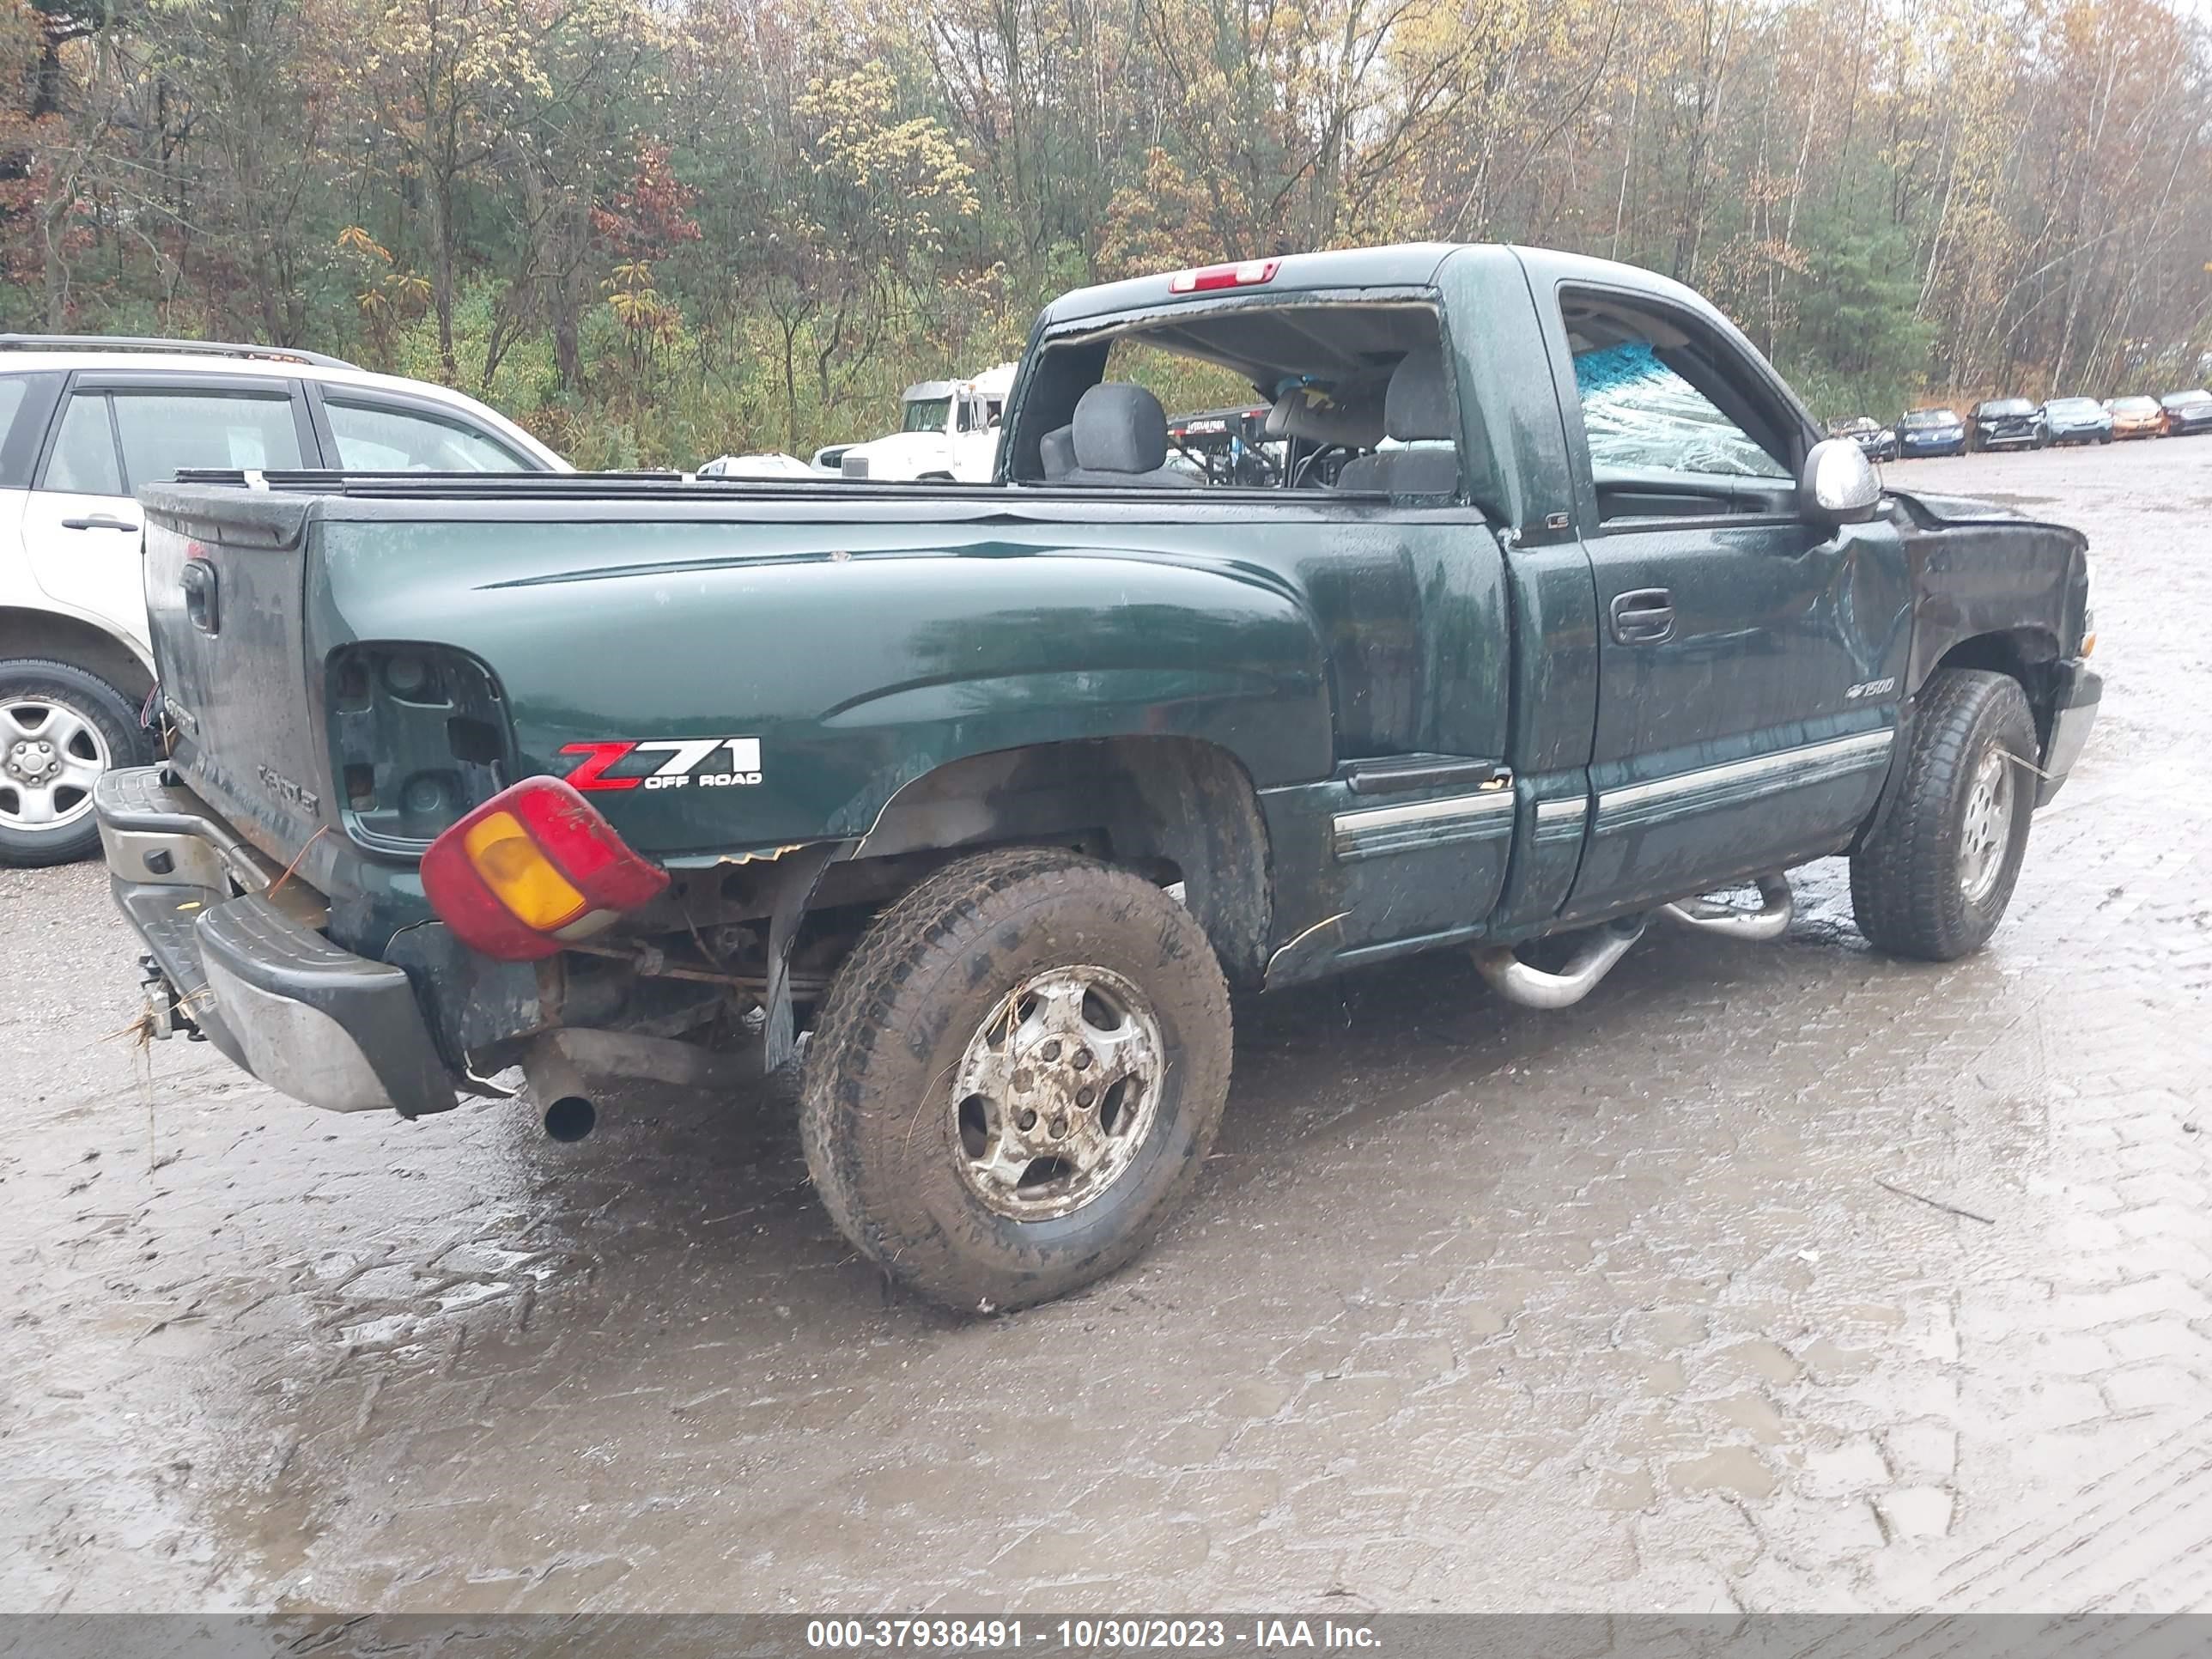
(90, 419)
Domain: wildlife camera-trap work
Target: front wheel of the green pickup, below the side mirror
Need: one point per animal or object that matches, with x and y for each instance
(1937, 877)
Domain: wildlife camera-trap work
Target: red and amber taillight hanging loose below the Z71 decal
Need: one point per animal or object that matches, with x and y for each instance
(532, 868)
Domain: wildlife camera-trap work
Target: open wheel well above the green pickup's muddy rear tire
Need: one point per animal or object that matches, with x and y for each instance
(1173, 808)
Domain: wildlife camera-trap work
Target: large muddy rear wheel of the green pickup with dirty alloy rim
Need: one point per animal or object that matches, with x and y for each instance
(1016, 1078)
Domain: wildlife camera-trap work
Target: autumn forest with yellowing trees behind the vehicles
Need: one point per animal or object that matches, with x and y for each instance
(658, 231)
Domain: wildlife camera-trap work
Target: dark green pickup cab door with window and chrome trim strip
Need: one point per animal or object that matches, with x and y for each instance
(1749, 656)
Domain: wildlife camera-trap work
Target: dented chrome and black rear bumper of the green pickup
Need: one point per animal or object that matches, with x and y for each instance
(253, 972)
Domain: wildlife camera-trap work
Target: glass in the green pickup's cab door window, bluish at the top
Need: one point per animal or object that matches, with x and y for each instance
(1642, 415)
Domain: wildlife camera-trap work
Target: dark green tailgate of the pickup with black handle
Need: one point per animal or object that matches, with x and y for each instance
(227, 598)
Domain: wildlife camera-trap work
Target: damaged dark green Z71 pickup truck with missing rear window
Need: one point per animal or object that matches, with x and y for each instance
(1558, 620)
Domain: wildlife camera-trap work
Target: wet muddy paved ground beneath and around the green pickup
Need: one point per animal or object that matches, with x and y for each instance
(1665, 1302)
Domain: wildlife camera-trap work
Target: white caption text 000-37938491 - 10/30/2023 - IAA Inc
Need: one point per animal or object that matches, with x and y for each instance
(1094, 1636)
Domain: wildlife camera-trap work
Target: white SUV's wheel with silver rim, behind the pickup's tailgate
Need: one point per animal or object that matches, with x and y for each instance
(59, 731)
